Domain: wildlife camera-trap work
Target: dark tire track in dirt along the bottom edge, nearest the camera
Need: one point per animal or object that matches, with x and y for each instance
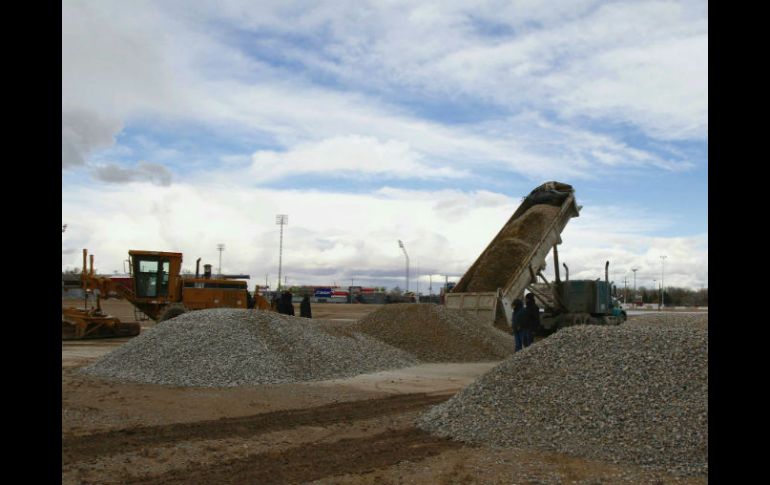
(314, 461)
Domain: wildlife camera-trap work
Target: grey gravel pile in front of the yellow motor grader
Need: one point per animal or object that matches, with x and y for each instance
(225, 347)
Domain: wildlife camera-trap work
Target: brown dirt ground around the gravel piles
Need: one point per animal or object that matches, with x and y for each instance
(346, 431)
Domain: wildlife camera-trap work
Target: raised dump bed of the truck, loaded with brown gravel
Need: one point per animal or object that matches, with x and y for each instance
(516, 255)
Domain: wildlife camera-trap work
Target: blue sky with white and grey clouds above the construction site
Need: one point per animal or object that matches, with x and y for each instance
(188, 124)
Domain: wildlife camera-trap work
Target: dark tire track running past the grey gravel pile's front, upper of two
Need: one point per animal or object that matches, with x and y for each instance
(87, 447)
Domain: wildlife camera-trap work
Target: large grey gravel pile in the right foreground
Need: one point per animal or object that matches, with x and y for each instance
(636, 393)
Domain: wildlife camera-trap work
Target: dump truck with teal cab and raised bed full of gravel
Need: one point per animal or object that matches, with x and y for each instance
(516, 257)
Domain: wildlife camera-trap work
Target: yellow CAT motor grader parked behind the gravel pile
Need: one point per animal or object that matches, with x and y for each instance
(157, 289)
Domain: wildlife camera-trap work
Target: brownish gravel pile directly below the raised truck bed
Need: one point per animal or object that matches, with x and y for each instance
(434, 334)
